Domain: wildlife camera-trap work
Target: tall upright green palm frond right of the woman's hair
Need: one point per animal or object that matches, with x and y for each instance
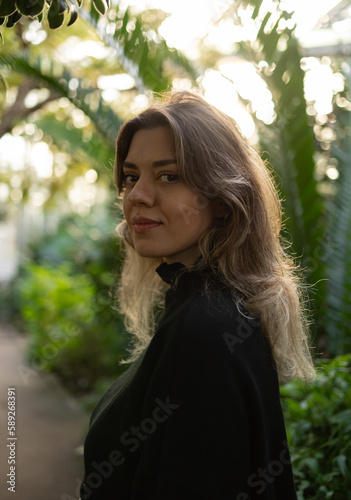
(317, 209)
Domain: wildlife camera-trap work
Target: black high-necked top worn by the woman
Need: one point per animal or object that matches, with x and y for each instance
(198, 415)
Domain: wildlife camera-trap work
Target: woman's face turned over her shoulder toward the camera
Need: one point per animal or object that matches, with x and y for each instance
(165, 216)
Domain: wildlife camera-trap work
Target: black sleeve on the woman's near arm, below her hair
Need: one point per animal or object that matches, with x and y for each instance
(226, 426)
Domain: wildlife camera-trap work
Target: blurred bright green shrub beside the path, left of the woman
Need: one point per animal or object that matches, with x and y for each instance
(61, 312)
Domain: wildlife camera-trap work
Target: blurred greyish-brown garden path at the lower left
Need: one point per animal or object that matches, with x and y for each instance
(50, 428)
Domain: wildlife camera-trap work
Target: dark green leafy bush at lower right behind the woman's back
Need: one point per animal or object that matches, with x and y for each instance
(318, 420)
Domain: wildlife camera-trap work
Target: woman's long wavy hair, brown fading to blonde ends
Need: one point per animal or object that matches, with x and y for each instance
(244, 248)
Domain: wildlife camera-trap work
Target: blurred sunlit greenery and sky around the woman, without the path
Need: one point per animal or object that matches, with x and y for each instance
(69, 78)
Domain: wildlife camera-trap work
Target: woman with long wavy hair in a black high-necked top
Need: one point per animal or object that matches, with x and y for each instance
(198, 415)
